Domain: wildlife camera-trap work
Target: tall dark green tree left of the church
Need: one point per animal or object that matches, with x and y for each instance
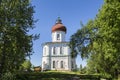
(16, 19)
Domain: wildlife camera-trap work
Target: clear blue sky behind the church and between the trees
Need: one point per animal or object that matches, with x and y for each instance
(72, 12)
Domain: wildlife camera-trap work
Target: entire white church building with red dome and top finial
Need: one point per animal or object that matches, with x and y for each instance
(56, 54)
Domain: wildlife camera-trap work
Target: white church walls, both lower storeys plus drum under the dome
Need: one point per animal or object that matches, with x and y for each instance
(57, 45)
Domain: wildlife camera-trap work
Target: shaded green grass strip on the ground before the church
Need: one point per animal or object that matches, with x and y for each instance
(55, 76)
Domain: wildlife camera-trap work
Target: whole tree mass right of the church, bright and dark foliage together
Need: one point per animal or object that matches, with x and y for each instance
(103, 46)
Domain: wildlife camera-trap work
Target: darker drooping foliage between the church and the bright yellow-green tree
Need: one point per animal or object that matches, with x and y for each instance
(80, 41)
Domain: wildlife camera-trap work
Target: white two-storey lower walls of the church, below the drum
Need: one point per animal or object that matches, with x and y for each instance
(49, 57)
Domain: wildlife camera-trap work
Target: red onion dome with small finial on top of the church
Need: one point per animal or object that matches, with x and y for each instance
(59, 26)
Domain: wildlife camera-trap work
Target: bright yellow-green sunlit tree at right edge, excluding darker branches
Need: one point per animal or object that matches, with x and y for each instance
(108, 22)
